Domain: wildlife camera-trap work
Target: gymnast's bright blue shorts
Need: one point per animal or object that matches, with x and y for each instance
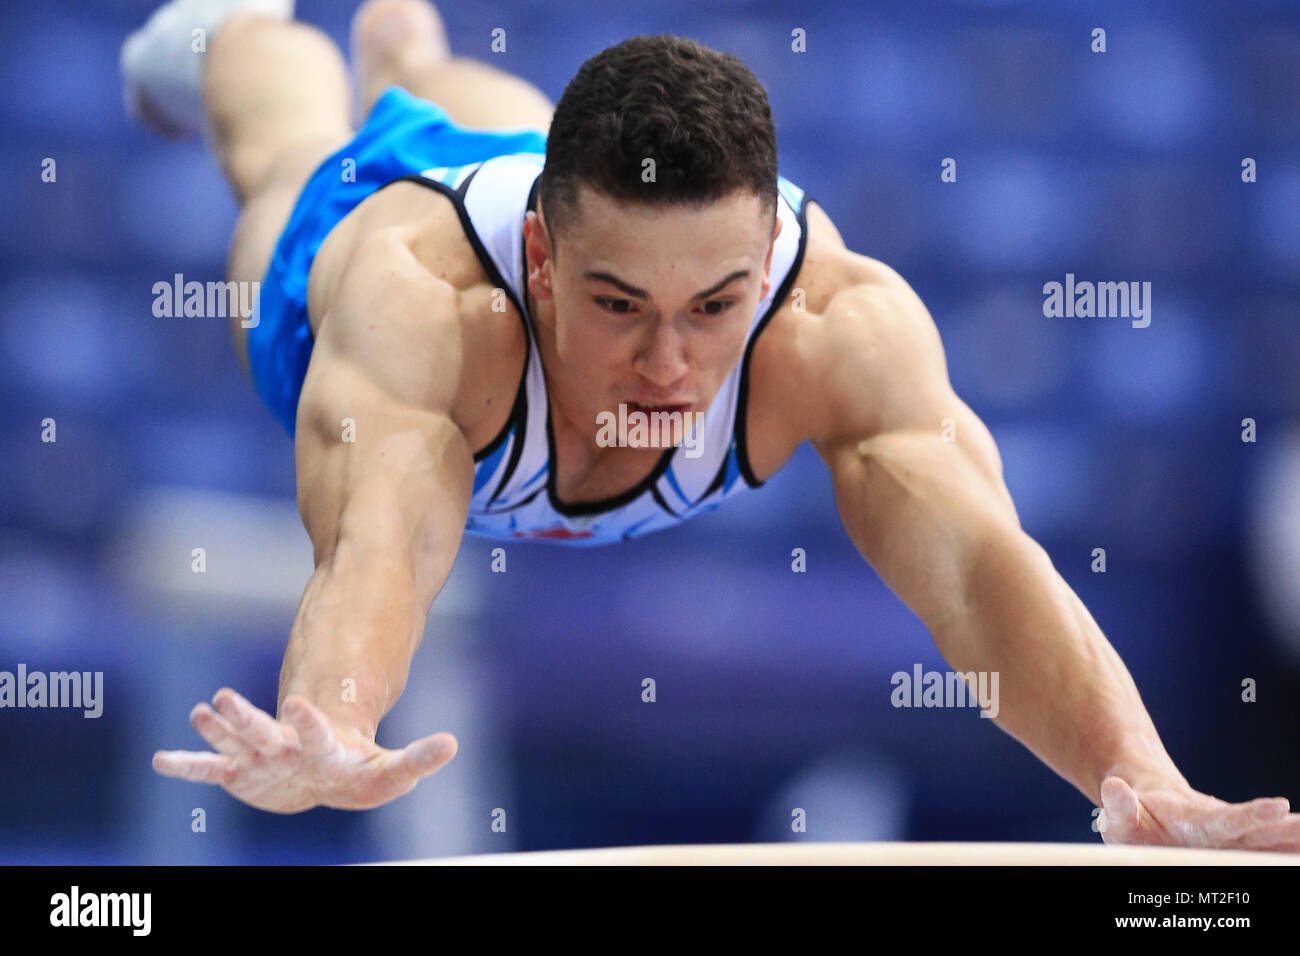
(402, 136)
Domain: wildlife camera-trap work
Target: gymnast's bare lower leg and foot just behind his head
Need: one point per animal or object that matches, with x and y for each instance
(402, 42)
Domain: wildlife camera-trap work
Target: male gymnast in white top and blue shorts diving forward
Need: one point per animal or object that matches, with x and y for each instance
(475, 279)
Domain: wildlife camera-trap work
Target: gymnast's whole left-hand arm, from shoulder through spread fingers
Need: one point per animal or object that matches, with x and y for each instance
(384, 481)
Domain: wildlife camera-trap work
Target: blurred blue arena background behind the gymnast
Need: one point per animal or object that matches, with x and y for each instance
(773, 687)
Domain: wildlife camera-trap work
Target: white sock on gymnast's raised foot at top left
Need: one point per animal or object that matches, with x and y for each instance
(163, 62)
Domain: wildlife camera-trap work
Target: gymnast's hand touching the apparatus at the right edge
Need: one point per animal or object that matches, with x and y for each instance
(1184, 817)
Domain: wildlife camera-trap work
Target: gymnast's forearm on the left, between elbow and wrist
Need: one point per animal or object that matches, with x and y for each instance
(358, 628)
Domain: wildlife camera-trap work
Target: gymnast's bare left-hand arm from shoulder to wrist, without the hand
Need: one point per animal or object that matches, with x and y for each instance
(384, 485)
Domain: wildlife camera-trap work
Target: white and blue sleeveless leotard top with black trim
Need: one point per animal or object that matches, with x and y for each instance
(514, 494)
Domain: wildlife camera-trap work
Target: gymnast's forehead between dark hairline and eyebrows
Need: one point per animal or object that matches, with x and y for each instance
(691, 239)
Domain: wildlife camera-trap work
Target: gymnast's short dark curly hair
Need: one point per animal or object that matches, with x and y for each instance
(701, 115)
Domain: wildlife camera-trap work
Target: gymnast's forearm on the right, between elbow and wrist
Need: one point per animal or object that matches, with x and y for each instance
(1064, 691)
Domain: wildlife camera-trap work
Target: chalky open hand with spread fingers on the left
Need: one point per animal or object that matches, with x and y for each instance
(302, 762)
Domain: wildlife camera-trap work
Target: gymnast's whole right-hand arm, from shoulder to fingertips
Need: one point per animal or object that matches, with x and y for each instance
(918, 485)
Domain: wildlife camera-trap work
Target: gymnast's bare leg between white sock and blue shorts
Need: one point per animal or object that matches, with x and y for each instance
(279, 102)
